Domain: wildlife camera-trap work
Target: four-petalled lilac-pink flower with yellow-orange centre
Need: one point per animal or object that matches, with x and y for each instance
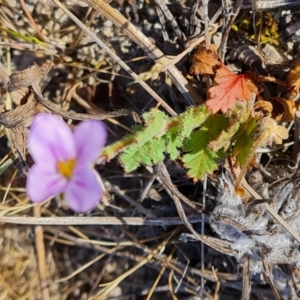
(64, 161)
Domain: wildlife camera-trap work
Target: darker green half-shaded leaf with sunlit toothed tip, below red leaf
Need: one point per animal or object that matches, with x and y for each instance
(200, 159)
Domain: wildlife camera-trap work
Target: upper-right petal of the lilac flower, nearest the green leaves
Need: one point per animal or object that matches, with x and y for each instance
(90, 137)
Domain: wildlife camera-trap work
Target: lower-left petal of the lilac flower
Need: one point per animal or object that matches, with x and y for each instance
(43, 182)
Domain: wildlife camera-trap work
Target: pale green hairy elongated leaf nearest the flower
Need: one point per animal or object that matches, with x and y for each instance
(161, 135)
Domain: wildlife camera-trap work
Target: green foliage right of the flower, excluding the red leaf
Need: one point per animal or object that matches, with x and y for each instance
(196, 137)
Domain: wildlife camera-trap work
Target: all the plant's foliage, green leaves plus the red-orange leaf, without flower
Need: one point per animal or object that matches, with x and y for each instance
(201, 136)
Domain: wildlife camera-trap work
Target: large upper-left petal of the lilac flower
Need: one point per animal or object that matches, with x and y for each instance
(50, 140)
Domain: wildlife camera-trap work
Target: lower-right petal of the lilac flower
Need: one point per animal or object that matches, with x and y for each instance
(83, 191)
